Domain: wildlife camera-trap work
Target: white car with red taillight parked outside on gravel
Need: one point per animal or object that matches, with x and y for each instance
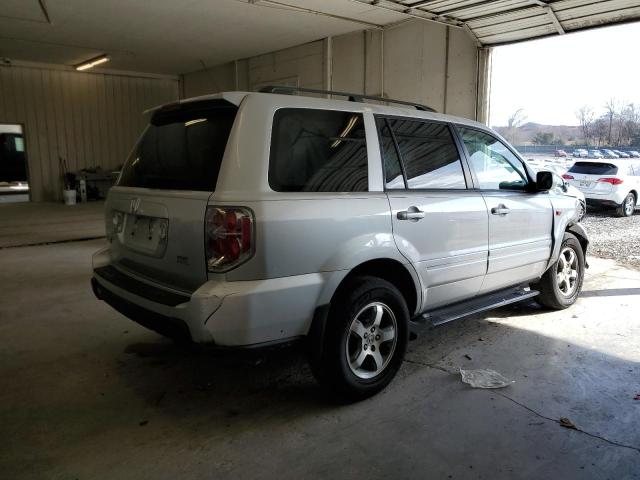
(611, 183)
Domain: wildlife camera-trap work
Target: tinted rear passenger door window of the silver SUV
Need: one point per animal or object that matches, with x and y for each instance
(429, 156)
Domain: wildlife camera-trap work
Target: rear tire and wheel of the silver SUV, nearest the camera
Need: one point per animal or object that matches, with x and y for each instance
(365, 339)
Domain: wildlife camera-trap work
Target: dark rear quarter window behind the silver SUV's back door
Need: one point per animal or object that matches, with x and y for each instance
(318, 151)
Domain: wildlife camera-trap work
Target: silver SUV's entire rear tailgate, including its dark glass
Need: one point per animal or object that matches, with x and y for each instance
(155, 213)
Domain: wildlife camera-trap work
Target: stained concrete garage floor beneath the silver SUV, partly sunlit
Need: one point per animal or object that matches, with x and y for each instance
(89, 394)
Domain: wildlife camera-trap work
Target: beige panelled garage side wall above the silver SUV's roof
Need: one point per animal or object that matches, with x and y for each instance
(416, 61)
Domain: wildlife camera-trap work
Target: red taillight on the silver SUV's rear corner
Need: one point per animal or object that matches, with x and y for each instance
(228, 237)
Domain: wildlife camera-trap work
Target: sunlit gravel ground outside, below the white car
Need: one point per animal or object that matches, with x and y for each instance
(614, 237)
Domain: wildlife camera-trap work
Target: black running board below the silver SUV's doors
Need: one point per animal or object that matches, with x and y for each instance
(468, 307)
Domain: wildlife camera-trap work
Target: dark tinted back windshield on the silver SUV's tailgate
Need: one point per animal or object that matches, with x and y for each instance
(182, 148)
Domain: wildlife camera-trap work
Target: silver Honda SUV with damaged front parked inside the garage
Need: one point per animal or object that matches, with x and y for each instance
(254, 219)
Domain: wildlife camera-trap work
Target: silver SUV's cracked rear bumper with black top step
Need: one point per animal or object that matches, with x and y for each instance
(230, 314)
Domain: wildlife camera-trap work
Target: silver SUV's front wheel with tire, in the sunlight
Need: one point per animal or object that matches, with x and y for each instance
(558, 287)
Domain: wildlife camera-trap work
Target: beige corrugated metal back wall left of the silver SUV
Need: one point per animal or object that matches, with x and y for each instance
(91, 119)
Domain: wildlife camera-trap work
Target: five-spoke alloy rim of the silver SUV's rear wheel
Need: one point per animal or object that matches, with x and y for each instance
(372, 340)
